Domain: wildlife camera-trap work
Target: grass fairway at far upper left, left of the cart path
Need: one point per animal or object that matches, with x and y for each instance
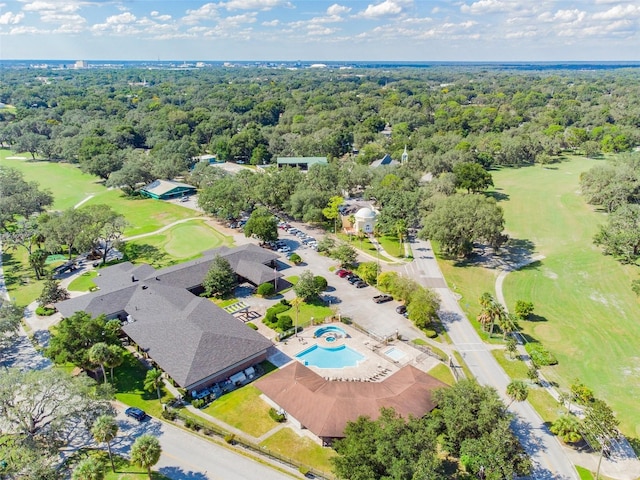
(66, 182)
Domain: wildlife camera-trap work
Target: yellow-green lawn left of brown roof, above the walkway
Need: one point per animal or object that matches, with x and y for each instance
(243, 409)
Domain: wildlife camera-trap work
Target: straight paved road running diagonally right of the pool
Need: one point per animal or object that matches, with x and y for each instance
(550, 460)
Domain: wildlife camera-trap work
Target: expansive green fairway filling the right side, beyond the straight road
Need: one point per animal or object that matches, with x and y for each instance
(587, 314)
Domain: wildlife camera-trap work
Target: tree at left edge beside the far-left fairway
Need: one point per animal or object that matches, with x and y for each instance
(19, 198)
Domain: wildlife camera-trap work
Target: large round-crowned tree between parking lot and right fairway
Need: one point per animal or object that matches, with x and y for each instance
(459, 220)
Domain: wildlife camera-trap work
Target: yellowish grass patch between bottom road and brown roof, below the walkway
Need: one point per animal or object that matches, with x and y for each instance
(302, 449)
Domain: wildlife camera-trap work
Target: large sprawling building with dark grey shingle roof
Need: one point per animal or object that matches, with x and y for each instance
(194, 341)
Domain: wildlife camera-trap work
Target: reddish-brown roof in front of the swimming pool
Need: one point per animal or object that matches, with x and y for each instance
(325, 407)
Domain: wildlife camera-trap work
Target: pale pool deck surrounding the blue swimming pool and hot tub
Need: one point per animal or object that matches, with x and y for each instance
(375, 367)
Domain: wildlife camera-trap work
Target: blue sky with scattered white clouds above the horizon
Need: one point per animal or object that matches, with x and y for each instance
(394, 30)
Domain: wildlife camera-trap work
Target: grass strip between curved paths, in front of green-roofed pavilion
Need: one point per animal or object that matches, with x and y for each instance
(144, 215)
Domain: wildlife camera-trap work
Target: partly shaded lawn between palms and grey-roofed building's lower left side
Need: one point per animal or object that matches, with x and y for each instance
(129, 383)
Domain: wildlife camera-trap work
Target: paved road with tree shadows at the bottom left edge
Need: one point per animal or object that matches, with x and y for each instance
(188, 457)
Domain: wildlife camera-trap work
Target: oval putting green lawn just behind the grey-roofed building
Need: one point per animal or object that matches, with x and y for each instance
(177, 244)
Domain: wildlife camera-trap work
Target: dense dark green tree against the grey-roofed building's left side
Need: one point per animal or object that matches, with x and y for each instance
(75, 335)
